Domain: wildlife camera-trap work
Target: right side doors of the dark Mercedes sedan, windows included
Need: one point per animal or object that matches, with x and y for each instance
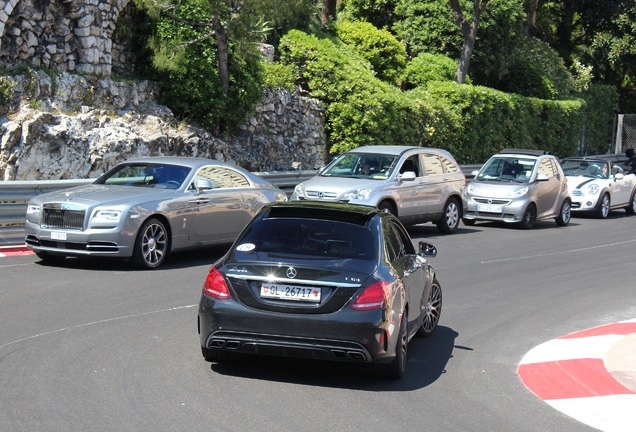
(404, 261)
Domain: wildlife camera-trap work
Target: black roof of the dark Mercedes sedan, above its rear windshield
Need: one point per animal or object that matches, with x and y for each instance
(358, 214)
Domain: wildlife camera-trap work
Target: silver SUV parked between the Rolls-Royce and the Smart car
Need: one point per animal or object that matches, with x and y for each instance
(417, 184)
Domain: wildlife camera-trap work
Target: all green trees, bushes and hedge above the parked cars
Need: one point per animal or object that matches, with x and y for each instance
(538, 74)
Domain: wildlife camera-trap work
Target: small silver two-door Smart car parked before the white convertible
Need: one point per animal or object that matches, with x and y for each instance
(519, 186)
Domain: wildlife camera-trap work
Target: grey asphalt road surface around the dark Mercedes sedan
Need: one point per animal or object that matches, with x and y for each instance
(97, 346)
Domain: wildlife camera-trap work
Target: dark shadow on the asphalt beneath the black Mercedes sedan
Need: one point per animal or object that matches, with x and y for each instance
(427, 360)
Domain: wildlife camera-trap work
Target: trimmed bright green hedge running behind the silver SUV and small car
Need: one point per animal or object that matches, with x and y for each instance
(471, 122)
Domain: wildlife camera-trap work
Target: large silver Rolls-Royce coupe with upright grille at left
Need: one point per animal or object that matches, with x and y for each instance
(145, 208)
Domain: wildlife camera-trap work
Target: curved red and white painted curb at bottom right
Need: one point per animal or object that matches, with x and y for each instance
(571, 374)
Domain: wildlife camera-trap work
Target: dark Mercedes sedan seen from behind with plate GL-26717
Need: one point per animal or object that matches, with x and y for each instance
(325, 281)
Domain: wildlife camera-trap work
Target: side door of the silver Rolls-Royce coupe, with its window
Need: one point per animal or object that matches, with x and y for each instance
(220, 211)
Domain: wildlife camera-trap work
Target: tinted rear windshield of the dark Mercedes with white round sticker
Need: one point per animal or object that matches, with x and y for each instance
(308, 237)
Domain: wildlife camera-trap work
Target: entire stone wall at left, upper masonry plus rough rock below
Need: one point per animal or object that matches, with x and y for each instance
(77, 122)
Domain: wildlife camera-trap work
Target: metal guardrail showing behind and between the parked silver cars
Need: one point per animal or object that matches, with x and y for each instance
(15, 195)
